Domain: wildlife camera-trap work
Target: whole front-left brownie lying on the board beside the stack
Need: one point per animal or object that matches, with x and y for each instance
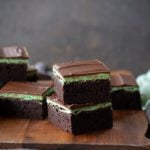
(24, 100)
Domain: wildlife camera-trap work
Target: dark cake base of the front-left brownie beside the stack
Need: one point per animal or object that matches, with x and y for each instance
(23, 109)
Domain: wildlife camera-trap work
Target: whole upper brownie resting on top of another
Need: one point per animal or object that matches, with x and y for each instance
(82, 82)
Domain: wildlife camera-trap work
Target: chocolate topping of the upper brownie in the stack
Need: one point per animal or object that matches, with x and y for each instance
(80, 68)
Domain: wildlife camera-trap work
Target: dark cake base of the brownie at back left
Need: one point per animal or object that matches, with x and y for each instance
(13, 72)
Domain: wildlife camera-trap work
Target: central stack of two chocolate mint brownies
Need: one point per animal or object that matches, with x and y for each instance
(82, 101)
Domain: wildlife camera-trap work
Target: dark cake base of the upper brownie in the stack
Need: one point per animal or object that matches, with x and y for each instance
(83, 92)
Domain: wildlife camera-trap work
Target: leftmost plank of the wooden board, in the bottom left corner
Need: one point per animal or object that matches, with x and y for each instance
(12, 132)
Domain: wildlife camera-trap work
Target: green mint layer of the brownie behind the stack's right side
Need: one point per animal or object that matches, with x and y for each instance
(126, 88)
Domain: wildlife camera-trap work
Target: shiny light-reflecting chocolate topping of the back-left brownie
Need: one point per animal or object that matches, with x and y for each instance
(14, 52)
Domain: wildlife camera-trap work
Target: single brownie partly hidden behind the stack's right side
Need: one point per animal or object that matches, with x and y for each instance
(124, 91)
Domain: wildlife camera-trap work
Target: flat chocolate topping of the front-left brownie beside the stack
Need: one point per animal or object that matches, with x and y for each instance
(26, 88)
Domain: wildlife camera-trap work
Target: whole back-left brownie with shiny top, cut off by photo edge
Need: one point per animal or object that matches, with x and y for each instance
(13, 63)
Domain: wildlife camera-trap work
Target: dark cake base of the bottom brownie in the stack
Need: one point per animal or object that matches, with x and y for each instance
(82, 123)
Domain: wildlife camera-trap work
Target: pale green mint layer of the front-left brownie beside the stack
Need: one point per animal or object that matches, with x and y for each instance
(26, 96)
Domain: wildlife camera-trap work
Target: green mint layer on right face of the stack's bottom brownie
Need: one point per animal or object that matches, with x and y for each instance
(91, 108)
